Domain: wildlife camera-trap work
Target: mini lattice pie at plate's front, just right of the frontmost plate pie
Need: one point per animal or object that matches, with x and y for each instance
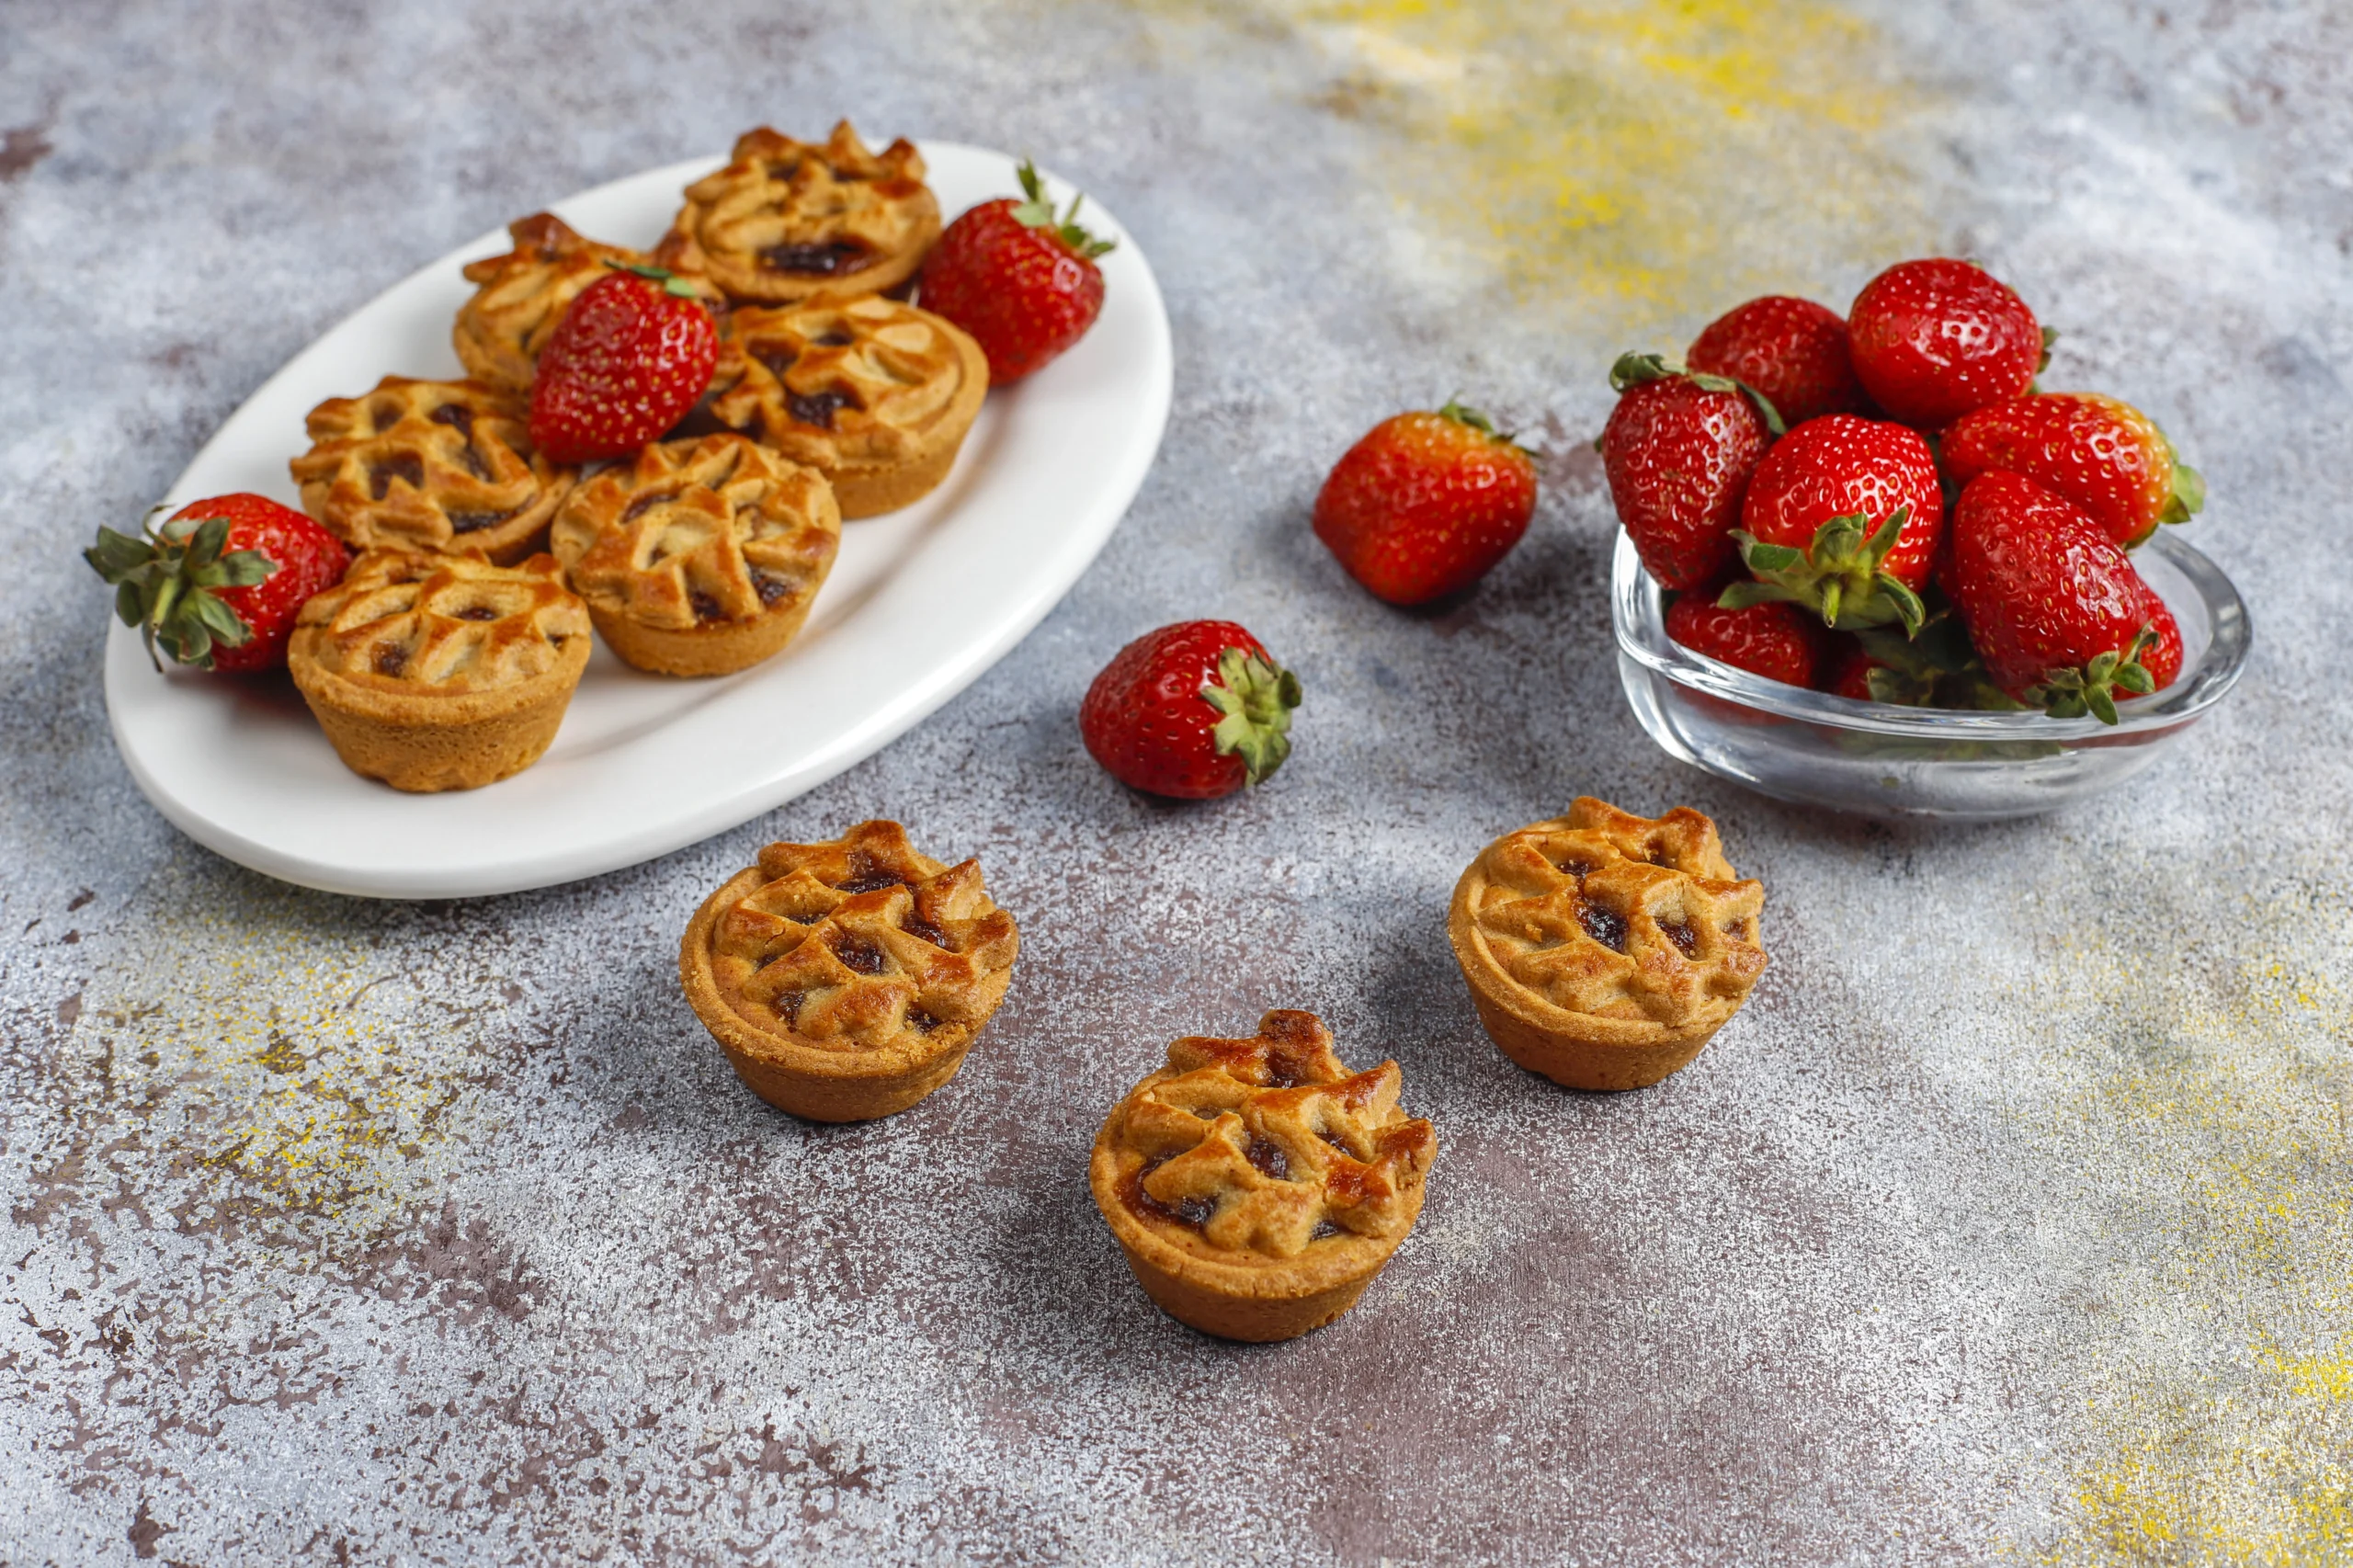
(702, 557)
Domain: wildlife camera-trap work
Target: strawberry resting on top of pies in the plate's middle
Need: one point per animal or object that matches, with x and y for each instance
(625, 364)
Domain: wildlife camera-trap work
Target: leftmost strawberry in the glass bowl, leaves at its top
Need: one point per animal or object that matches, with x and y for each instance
(1679, 453)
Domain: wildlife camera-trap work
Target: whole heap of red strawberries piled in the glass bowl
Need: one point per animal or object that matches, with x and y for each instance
(1886, 507)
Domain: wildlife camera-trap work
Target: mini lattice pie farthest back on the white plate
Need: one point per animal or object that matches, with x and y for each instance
(792, 220)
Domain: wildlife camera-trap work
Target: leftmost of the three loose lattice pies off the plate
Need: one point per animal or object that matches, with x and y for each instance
(846, 981)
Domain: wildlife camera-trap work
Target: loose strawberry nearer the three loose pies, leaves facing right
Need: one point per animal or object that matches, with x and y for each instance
(1194, 712)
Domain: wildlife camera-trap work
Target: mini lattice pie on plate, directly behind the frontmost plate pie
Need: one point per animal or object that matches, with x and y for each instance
(429, 467)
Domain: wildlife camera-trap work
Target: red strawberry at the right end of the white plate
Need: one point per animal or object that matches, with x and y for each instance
(1018, 279)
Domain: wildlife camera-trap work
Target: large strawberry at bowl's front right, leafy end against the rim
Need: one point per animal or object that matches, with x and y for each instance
(2053, 604)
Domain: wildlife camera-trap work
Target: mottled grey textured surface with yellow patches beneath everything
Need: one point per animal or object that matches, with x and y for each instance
(2013, 1221)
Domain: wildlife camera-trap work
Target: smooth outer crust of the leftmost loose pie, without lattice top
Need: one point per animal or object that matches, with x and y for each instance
(804, 1079)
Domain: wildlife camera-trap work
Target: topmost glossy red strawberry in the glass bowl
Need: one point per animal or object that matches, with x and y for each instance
(1935, 340)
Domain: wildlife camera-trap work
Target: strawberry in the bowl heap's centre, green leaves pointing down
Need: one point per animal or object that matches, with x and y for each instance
(1844, 519)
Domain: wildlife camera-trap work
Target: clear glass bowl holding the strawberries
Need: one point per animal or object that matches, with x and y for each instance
(1888, 762)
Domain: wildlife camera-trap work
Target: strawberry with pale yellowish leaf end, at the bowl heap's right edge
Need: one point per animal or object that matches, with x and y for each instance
(2105, 456)
